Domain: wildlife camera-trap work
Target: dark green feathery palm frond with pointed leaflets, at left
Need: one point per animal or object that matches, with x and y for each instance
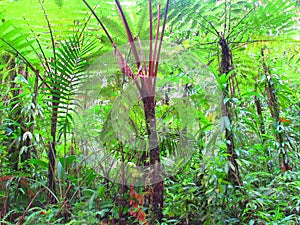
(71, 62)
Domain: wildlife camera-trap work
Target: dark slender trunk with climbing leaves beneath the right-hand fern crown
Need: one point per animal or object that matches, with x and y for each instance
(226, 68)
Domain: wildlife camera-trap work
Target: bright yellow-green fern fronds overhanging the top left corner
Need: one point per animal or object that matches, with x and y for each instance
(30, 17)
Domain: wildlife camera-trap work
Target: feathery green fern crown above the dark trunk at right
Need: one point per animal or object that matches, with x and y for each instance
(235, 20)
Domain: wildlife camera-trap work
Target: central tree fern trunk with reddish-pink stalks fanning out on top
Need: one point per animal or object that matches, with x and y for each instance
(156, 187)
